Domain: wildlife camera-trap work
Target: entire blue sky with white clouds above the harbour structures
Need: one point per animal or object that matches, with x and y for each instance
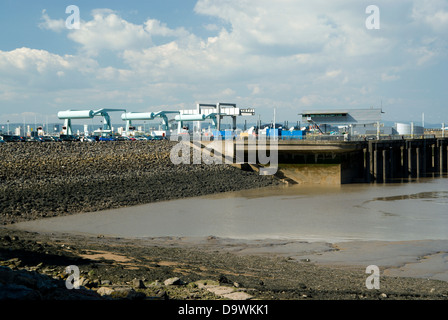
(167, 55)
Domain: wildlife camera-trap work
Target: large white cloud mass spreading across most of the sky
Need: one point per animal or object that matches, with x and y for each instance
(289, 53)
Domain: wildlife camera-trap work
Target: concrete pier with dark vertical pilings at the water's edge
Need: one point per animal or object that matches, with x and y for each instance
(373, 161)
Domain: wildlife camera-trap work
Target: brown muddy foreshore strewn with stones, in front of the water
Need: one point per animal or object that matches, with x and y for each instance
(250, 269)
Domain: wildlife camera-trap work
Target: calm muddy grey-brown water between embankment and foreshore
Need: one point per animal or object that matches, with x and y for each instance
(386, 212)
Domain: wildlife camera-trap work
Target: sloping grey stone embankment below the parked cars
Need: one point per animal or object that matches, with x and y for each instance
(40, 180)
